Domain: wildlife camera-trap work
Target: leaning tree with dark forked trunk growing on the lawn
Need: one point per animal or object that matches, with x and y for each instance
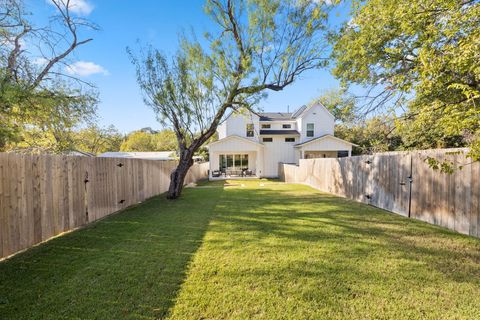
(256, 46)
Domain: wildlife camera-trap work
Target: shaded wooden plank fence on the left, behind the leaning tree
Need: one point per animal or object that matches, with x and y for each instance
(42, 196)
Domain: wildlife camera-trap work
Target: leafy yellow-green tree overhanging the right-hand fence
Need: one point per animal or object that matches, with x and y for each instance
(422, 54)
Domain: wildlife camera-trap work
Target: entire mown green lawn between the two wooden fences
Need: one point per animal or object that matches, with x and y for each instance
(256, 249)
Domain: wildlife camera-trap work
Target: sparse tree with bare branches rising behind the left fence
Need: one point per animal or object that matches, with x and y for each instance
(33, 63)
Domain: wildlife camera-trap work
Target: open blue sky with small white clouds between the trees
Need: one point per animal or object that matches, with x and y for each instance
(105, 63)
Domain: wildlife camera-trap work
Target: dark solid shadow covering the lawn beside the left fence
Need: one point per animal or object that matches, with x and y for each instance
(129, 265)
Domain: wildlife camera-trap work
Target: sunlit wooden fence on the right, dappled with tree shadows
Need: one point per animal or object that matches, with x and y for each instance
(402, 182)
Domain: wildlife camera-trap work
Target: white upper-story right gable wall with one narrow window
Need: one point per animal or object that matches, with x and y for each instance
(323, 120)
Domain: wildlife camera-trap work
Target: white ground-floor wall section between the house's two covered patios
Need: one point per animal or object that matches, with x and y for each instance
(277, 151)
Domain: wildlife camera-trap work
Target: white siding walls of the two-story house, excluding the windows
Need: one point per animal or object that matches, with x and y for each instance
(264, 157)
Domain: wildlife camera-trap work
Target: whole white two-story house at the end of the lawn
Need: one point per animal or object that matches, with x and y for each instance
(255, 143)
